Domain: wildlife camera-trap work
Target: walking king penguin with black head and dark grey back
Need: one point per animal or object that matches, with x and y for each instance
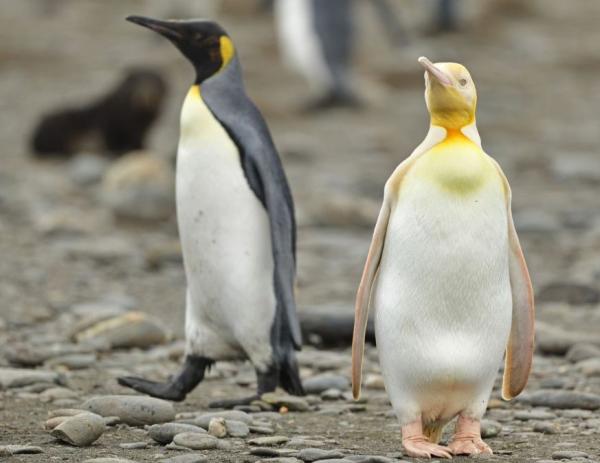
(236, 223)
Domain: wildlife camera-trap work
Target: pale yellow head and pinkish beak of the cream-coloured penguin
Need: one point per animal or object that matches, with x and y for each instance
(450, 94)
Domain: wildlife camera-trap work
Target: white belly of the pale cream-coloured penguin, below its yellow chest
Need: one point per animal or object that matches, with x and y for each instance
(443, 300)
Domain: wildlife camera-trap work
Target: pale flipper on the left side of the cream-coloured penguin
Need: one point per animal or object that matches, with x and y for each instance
(361, 314)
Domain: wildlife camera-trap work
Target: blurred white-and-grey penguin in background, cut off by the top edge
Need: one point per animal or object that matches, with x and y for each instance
(316, 40)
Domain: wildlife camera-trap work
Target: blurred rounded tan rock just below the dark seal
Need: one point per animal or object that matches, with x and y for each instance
(140, 186)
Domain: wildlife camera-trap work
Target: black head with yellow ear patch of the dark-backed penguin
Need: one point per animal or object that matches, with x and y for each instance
(204, 43)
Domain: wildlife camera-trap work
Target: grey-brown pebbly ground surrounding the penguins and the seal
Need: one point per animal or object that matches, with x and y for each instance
(86, 296)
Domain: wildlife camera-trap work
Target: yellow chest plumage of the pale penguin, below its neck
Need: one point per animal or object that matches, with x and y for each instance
(455, 165)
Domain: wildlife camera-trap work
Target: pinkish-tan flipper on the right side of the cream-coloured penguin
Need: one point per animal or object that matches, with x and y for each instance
(519, 350)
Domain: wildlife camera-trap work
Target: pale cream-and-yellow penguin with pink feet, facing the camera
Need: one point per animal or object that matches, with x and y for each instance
(447, 279)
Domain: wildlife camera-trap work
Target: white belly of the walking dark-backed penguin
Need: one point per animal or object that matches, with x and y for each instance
(226, 244)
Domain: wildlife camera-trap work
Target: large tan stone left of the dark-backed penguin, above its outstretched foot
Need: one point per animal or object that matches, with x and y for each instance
(133, 329)
